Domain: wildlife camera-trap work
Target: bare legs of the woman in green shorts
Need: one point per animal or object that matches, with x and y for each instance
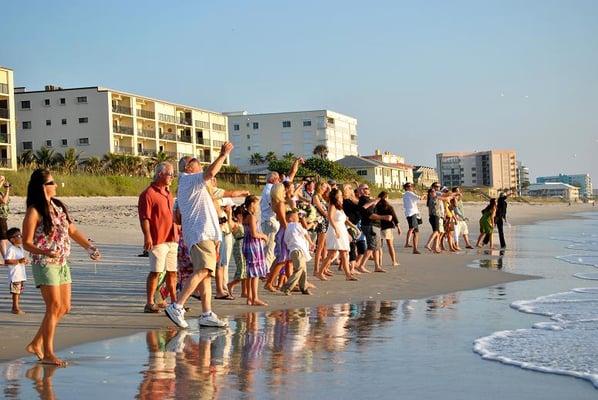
(58, 303)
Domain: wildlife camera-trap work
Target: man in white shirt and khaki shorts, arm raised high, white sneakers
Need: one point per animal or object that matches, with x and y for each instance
(201, 232)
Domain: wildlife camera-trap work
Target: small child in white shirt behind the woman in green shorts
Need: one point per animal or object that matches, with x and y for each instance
(16, 261)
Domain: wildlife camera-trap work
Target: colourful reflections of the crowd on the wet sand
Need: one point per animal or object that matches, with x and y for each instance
(259, 353)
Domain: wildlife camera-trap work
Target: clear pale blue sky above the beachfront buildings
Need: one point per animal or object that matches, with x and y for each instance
(420, 77)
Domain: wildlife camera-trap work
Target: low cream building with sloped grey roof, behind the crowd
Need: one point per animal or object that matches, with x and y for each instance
(377, 173)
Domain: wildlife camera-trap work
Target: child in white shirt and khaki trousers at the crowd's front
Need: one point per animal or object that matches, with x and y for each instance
(298, 242)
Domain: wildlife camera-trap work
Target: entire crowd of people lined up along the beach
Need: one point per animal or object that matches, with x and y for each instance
(271, 238)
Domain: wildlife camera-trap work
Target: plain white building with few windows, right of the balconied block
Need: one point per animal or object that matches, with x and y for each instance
(297, 132)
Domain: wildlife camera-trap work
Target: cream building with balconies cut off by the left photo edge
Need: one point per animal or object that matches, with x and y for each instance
(8, 152)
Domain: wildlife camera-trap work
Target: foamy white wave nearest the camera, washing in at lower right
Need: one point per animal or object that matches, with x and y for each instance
(566, 345)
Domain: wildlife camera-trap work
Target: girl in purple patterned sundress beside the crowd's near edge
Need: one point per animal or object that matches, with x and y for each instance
(253, 250)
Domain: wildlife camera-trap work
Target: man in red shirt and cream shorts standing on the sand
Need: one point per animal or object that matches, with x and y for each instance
(160, 236)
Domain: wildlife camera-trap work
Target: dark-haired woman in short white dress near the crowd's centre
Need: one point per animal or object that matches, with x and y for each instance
(337, 236)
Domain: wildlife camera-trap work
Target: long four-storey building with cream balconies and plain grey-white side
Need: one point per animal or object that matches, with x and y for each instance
(96, 121)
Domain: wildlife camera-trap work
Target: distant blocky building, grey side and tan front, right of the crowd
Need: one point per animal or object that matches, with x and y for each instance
(494, 169)
